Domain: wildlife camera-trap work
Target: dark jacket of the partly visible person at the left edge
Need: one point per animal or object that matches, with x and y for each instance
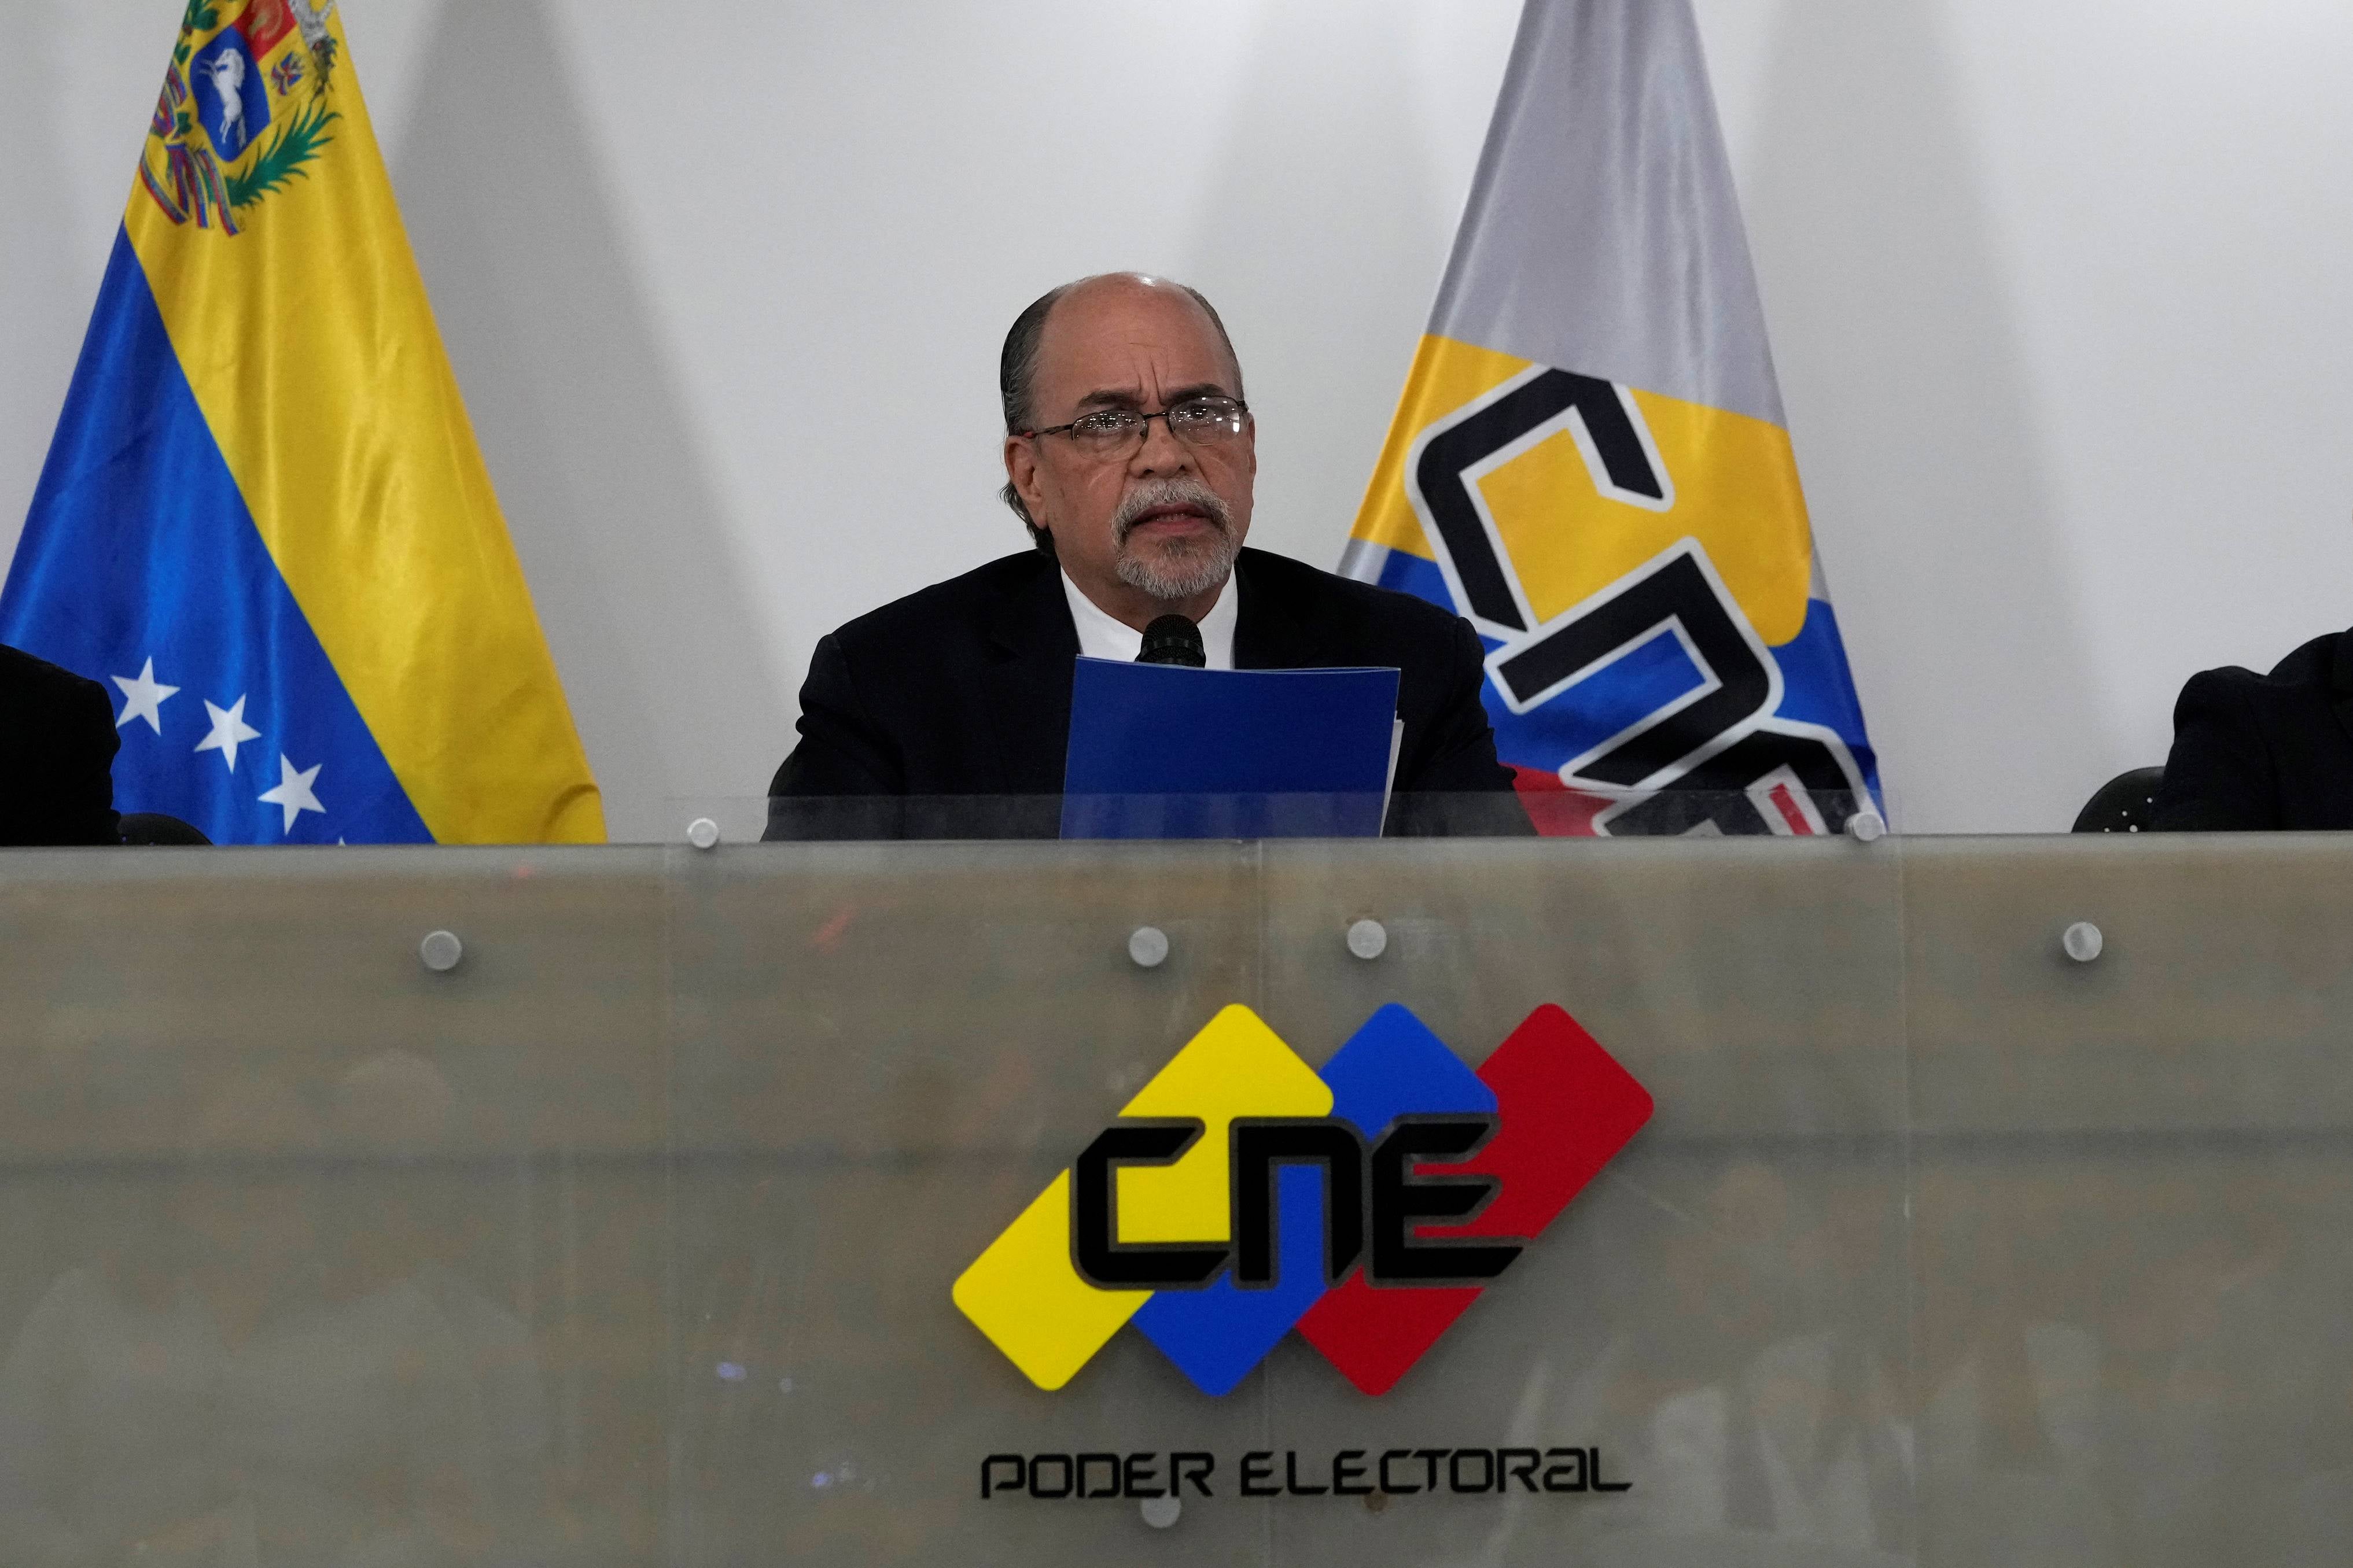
(58, 779)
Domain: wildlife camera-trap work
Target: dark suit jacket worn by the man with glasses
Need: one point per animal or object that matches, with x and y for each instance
(964, 690)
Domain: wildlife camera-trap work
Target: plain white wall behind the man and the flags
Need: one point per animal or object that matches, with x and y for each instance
(2058, 293)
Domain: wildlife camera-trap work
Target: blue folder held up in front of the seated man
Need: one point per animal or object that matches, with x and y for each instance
(1171, 753)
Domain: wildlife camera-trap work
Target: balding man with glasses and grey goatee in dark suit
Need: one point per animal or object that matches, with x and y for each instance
(1131, 460)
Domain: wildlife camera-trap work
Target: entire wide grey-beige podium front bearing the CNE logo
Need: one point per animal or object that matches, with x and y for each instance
(1702, 1200)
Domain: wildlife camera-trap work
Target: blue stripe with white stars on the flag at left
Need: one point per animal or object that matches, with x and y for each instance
(140, 549)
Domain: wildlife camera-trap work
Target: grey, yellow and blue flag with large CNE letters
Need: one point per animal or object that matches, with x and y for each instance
(1592, 462)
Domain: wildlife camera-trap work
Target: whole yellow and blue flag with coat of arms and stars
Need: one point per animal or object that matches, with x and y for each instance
(265, 516)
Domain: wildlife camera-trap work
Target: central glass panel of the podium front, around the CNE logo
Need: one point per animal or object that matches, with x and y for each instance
(886, 1054)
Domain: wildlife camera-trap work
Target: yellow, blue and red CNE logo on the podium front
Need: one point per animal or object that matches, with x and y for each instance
(1244, 1195)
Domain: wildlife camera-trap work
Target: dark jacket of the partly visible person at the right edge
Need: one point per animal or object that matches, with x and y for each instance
(2265, 751)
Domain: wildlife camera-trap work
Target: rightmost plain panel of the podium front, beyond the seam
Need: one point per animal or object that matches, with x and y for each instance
(2133, 1207)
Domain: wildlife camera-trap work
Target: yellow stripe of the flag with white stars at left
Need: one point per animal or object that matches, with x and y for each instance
(316, 361)
